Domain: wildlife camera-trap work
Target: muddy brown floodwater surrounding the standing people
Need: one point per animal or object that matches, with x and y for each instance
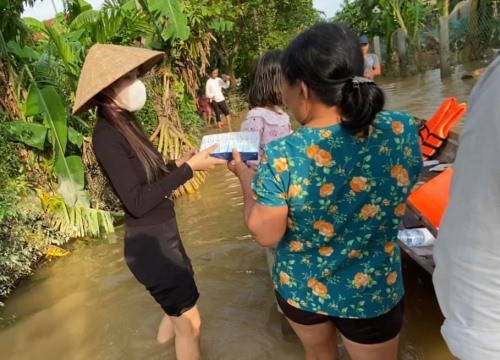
(88, 305)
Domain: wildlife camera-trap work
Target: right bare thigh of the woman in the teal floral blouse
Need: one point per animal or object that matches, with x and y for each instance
(384, 351)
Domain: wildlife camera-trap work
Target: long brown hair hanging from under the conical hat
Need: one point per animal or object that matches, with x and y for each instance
(126, 123)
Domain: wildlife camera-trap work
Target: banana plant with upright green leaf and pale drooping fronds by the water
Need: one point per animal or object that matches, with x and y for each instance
(49, 132)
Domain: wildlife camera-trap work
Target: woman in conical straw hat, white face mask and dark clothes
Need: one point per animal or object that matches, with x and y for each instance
(143, 182)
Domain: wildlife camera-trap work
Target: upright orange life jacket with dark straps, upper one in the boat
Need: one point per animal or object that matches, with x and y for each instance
(437, 129)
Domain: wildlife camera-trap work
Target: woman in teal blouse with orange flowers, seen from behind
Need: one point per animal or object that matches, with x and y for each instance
(332, 196)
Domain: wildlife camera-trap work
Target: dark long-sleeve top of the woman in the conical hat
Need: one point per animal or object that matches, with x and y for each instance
(144, 204)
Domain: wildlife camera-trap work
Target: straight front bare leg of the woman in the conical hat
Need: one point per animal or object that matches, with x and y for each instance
(187, 334)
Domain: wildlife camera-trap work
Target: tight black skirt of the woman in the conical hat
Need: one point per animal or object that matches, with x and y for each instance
(156, 257)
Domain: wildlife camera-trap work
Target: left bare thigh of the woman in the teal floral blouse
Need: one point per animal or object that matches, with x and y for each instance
(319, 341)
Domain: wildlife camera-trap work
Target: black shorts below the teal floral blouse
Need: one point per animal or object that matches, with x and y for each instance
(362, 331)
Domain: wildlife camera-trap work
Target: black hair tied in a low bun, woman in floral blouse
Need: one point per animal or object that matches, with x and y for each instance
(328, 59)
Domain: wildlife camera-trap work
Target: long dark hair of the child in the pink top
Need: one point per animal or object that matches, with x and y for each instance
(265, 82)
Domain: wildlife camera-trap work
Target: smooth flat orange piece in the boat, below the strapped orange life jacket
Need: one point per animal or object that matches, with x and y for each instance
(430, 200)
